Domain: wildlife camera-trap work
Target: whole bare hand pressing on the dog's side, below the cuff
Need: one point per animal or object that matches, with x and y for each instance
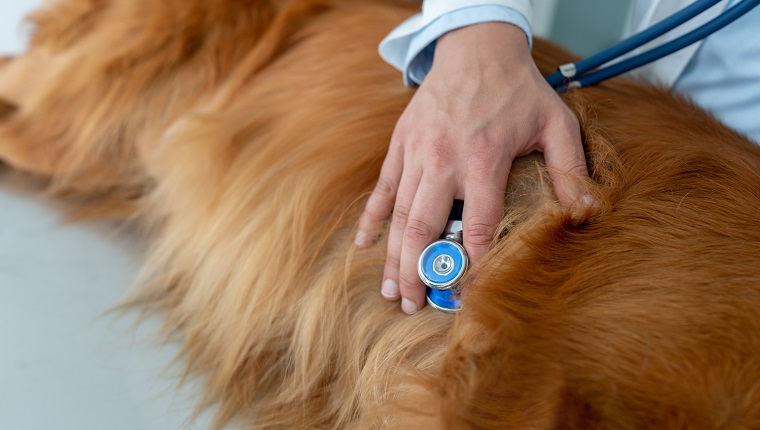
(483, 104)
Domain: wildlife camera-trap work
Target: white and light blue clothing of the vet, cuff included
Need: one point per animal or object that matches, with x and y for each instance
(721, 73)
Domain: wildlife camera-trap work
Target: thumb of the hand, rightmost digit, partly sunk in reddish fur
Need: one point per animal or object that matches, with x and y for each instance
(563, 152)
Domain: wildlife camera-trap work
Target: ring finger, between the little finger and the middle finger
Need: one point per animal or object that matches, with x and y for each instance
(407, 189)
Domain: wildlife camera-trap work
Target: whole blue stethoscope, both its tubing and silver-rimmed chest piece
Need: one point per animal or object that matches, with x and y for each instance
(443, 264)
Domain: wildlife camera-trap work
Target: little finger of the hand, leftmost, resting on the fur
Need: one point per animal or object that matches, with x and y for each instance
(380, 202)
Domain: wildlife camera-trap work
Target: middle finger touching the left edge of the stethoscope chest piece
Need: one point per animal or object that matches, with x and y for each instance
(426, 221)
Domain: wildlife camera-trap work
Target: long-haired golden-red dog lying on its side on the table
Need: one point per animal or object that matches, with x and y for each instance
(246, 135)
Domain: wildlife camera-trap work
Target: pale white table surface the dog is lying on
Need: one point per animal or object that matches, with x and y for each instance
(64, 364)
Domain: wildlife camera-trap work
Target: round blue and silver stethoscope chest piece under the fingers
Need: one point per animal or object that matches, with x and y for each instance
(443, 263)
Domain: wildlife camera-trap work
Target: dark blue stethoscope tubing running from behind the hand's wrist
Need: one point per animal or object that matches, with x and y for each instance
(576, 74)
